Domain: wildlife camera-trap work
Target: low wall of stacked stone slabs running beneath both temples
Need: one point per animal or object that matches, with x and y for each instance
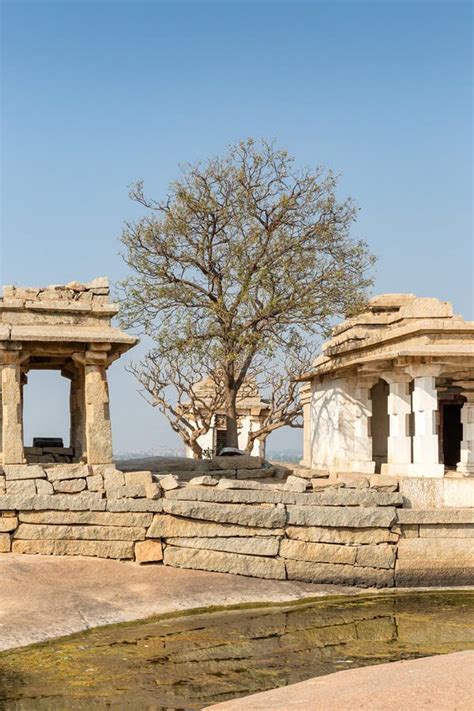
(238, 518)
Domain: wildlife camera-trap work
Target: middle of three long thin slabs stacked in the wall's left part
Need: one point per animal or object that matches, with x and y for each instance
(31, 531)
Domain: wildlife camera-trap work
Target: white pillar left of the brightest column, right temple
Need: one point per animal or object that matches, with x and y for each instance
(399, 450)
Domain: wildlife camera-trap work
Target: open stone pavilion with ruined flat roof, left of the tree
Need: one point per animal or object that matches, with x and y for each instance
(66, 328)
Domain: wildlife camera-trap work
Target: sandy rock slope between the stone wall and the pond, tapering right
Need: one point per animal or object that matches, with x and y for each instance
(48, 596)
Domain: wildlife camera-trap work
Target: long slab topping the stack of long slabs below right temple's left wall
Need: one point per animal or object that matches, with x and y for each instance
(348, 517)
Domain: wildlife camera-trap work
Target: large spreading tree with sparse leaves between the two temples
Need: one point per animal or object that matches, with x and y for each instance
(245, 257)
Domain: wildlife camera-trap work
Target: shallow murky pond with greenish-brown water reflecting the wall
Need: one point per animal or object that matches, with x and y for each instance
(188, 661)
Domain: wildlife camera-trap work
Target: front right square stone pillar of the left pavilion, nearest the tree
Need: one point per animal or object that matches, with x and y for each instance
(98, 426)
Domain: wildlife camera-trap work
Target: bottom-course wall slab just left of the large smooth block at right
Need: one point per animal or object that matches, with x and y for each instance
(343, 574)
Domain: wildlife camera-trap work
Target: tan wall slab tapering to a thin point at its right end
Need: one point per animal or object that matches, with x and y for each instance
(165, 526)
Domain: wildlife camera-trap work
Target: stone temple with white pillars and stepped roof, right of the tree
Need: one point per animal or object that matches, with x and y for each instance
(393, 392)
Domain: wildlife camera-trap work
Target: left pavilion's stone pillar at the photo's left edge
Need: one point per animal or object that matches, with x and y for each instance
(12, 409)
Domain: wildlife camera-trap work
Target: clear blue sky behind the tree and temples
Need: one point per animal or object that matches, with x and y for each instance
(97, 94)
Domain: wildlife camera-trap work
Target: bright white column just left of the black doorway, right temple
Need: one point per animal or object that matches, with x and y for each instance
(425, 409)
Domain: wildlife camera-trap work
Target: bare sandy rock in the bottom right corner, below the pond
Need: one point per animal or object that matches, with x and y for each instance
(443, 683)
